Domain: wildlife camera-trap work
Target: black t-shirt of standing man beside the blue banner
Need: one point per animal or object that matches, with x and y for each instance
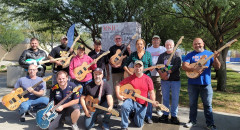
(56, 53)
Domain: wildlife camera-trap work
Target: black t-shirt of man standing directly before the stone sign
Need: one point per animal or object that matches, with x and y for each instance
(113, 50)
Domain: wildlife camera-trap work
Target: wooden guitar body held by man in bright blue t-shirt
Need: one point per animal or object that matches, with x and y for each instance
(194, 74)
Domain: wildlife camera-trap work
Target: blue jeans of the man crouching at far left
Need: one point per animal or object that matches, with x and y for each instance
(25, 106)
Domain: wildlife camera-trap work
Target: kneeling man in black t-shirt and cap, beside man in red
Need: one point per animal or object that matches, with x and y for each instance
(102, 91)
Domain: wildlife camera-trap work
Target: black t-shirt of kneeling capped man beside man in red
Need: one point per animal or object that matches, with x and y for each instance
(93, 90)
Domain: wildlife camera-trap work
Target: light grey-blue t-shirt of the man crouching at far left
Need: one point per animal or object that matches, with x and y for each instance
(26, 82)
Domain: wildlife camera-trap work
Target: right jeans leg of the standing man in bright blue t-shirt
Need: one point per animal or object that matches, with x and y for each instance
(206, 94)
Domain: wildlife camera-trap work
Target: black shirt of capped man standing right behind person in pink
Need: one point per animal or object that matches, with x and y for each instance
(101, 62)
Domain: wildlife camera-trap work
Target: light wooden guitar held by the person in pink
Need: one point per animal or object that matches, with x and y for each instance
(80, 72)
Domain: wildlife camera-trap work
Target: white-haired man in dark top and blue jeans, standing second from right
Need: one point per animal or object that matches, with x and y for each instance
(170, 81)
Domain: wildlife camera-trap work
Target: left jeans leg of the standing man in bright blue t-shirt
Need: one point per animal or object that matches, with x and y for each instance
(193, 92)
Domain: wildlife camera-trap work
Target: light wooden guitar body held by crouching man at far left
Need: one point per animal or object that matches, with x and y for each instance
(13, 100)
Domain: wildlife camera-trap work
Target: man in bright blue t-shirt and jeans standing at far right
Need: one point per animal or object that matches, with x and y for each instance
(202, 84)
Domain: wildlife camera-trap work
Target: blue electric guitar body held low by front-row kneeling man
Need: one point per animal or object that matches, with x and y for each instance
(45, 116)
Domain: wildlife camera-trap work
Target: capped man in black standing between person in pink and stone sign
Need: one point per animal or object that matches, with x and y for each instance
(103, 62)
